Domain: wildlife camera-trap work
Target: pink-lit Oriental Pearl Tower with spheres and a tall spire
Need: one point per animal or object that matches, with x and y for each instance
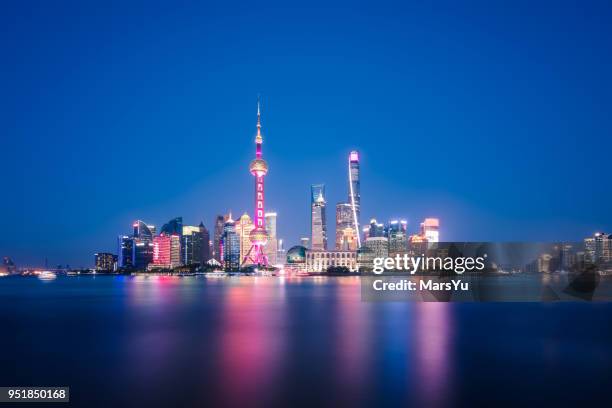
(259, 235)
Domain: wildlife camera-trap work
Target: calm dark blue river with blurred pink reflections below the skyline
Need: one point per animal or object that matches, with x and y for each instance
(169, 341)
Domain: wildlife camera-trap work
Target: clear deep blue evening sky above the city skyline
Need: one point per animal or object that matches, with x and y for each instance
(494, 117)
